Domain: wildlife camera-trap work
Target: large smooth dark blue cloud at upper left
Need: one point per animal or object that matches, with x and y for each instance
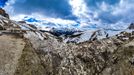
(54, 8)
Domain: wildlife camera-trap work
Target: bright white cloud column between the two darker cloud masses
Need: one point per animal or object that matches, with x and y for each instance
(85, 16)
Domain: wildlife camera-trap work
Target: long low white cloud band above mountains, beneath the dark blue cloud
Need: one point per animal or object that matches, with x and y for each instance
(45, 23)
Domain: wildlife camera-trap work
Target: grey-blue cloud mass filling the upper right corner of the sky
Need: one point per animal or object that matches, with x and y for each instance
(113, 11)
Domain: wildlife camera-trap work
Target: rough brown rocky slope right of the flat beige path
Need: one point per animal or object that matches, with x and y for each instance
(110, 56)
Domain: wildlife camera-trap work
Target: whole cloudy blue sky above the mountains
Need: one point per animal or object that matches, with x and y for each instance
(112, 14)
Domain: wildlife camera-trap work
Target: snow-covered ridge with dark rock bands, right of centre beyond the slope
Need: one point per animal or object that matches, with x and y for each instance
(81, 36)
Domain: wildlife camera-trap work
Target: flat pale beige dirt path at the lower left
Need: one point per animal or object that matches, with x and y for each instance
(10, 51)
